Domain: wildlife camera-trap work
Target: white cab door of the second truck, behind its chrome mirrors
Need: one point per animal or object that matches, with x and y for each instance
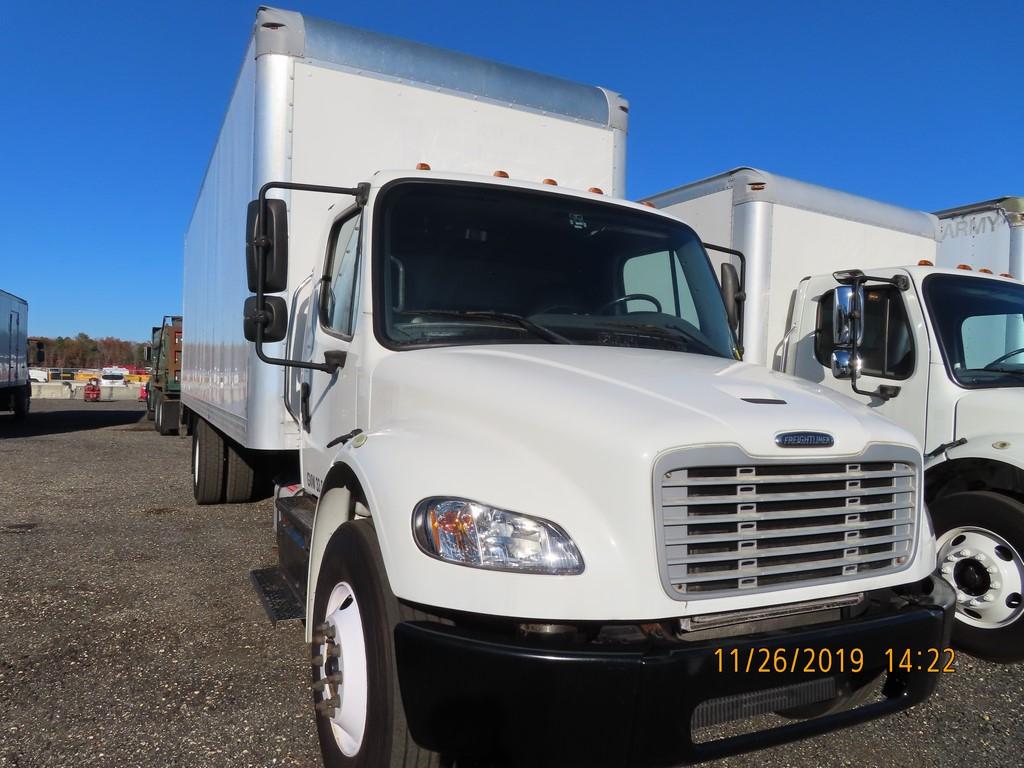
(895, 352)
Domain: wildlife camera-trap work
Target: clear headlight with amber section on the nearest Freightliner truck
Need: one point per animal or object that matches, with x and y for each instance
(470, 534)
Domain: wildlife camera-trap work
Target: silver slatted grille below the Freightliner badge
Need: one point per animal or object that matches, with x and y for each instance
(728, 529)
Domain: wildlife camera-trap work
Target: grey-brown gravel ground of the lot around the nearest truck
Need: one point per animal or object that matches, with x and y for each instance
(132, 635)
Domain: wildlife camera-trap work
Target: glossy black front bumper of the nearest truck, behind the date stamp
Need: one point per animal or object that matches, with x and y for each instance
(507, 703)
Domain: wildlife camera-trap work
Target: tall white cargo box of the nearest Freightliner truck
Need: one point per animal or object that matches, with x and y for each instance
(323, 104)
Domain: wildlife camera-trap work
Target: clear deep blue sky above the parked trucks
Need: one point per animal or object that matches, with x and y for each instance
(112, 110)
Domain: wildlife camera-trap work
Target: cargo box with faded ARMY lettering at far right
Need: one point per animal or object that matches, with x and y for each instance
(989, 236)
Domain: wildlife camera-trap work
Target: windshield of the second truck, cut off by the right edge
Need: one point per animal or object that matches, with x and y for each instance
(980, 327)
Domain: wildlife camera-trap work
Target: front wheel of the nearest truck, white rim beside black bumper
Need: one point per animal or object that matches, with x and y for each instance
(360, 716)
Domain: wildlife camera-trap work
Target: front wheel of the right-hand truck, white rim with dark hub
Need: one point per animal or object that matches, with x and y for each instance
(980, 540)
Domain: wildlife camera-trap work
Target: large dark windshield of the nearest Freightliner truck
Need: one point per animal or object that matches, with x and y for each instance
(473, 265)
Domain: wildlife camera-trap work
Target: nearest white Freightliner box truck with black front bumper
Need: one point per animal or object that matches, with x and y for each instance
(540, 515)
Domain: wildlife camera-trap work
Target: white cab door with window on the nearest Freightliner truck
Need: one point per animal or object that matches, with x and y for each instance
(327, 402)
